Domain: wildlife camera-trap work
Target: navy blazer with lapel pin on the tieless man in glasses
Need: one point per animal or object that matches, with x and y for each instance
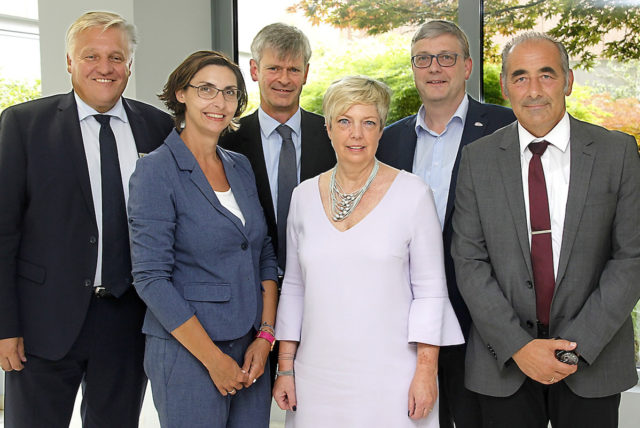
(397, 148)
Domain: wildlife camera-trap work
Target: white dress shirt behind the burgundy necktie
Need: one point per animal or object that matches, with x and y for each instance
(556, 164)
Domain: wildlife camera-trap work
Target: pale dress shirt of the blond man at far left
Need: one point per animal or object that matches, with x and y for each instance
(127, 156)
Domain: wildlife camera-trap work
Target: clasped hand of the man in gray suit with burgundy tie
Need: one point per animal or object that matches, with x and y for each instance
(537, 360)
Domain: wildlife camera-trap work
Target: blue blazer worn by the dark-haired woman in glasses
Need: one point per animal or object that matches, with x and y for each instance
(190, 255)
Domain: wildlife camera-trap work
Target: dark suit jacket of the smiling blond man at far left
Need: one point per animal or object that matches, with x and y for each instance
(48, 230)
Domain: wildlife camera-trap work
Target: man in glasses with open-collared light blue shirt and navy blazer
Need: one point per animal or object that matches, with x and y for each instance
(429, 145)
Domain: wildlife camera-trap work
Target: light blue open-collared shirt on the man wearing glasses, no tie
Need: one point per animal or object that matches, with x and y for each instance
(436, 154)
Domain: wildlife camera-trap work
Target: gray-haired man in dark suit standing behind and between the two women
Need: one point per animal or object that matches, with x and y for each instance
(280, 64)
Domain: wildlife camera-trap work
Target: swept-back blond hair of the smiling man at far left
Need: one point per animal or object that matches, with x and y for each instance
(104, 20)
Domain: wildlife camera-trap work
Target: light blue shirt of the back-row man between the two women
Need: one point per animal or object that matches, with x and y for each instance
(272, 143)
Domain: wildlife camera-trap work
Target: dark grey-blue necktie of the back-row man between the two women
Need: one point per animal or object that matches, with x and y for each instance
(287, 180)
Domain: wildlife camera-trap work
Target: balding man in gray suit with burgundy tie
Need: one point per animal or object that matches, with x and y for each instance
(547, 253)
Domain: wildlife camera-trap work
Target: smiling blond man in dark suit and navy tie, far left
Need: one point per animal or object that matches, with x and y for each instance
(68, 313)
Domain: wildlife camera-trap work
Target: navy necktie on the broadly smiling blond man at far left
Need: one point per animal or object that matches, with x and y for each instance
(116, 255)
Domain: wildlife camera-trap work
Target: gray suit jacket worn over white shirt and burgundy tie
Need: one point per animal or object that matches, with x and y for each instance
(597, 280)
